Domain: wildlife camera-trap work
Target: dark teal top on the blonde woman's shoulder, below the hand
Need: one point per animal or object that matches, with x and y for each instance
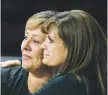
(14, 81)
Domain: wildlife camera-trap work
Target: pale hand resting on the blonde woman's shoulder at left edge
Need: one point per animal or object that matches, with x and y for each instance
(10, 63)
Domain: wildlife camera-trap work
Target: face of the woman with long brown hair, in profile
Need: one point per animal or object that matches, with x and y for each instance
(54, 51)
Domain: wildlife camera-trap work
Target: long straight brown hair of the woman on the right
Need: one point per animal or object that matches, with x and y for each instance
(86, 43)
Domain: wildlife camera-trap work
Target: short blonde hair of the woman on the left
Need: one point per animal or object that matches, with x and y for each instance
(38, 19)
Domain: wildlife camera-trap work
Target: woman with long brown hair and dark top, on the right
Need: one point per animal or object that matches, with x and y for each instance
(76, 45)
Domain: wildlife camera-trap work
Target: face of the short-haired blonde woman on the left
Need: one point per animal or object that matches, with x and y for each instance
(31, 51)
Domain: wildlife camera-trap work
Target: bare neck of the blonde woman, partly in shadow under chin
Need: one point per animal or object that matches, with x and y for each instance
(40, 77)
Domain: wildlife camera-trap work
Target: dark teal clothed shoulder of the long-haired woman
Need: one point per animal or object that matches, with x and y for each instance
(63, 84)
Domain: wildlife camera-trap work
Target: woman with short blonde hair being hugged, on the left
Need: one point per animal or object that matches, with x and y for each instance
(28, 78)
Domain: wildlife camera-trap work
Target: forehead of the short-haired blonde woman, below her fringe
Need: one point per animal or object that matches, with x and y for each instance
(37, 32)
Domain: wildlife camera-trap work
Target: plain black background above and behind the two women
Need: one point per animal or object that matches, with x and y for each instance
(14, 14)
